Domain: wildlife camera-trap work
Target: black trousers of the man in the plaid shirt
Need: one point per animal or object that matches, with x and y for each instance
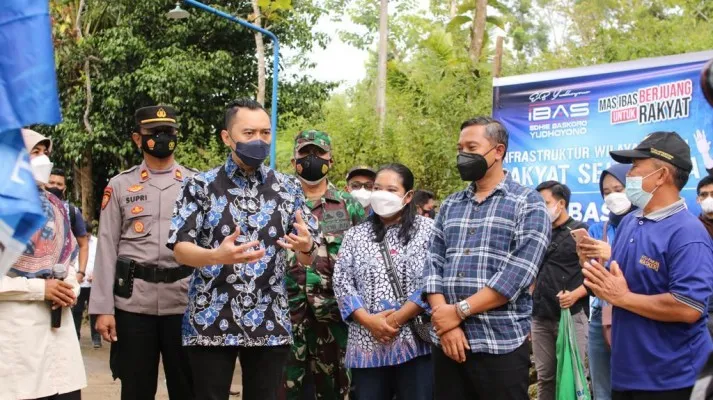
(482, 376)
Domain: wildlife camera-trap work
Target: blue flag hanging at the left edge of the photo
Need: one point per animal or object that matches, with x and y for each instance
(28, 95)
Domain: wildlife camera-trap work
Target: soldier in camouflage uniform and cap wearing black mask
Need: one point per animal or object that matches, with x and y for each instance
(320, 335)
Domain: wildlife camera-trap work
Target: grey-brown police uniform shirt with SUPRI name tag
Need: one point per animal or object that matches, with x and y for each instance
(136, 215)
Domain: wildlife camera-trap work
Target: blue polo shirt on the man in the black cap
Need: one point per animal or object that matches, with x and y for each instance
(668, 251)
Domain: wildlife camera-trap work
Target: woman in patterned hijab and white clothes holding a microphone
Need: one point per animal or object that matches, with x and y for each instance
(39, 361)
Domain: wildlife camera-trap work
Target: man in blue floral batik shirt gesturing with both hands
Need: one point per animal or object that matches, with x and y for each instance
(232, 223)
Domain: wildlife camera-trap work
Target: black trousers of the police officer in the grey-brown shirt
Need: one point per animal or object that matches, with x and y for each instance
(142, 340)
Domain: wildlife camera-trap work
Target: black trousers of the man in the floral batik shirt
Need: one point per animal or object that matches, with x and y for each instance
(213, 368)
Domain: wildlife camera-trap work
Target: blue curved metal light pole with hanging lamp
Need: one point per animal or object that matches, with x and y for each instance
(179, 13)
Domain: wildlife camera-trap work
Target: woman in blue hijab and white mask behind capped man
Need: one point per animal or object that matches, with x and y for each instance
(598, 246)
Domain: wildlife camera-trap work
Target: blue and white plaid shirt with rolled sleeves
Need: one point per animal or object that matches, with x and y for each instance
(498, 243)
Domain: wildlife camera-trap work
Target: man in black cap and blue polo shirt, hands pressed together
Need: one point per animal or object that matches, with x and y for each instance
(660, 278)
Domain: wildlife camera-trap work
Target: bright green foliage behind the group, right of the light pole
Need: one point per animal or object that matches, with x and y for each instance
(433, 86)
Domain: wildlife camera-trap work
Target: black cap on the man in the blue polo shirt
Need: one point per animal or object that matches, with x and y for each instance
(664, 146)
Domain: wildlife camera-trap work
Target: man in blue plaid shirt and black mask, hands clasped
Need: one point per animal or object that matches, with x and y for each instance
(489, 241)
